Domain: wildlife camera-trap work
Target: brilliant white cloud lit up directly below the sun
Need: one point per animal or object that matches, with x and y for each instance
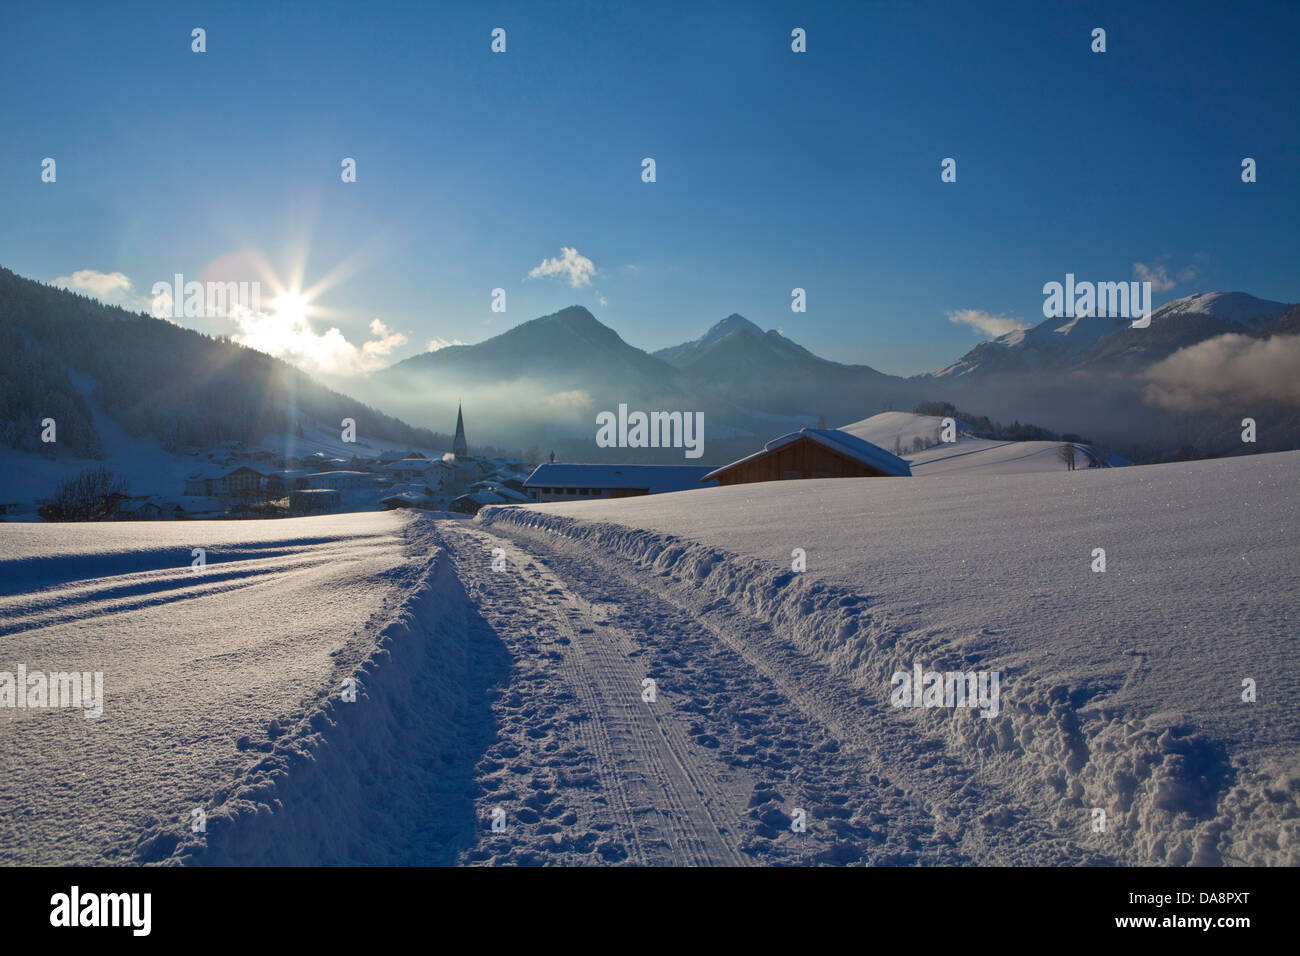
(292, 338)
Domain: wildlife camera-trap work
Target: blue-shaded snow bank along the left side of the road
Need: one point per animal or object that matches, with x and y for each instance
(375, 781)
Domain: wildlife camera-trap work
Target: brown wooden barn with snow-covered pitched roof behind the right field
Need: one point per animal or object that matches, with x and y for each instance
(813, 453)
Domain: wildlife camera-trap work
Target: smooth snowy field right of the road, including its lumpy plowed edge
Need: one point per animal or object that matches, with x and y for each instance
(1121, 690)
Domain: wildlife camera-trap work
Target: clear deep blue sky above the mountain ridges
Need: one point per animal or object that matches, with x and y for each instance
(775, 170)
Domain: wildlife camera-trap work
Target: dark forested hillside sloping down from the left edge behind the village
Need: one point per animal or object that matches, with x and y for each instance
(154, 378)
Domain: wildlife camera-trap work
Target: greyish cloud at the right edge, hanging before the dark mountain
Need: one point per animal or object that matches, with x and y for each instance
(1228, 369)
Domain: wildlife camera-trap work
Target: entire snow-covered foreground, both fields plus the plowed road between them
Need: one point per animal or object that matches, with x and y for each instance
(501, 669)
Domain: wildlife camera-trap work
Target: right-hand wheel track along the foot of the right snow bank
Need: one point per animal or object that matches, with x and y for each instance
(930, 794)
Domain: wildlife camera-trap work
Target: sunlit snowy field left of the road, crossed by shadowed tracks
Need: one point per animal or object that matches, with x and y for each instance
(193, 663)
